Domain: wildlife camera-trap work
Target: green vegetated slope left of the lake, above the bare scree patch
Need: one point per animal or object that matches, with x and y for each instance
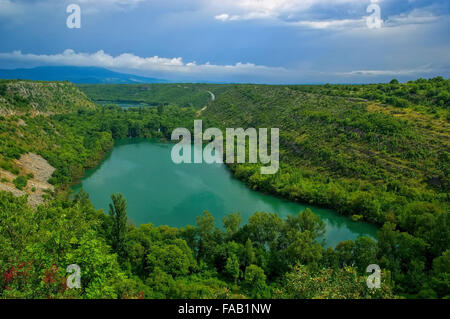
(75, 135)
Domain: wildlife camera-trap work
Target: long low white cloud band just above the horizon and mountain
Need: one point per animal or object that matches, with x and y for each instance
(177, 69)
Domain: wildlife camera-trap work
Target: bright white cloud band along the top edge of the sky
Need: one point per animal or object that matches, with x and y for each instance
(301, 13)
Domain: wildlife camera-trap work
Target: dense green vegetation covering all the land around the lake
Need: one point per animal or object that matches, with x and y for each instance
(344, 147)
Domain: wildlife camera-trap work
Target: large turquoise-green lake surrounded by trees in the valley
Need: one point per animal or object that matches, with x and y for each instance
(164, 193)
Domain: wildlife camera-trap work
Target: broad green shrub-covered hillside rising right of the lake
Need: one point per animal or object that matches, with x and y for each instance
(374, 161)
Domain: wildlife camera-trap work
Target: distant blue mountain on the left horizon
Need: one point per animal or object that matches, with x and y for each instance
(86, 75)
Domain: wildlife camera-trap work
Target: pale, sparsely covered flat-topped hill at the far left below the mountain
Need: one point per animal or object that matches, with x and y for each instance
(17, 96)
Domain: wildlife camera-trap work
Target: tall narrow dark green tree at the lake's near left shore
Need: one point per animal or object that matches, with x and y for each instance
(118, 213)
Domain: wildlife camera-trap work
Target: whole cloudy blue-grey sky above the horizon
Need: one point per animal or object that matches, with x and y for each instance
(242, 41)
